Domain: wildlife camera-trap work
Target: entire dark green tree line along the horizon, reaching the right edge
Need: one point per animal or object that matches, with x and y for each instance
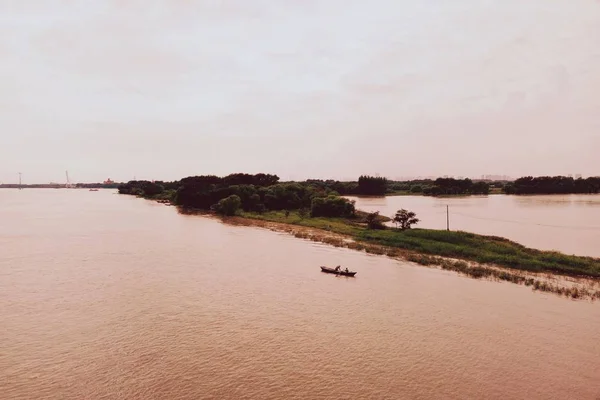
(265, 191)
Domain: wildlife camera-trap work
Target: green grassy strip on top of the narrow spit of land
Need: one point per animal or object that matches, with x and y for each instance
(459, 245)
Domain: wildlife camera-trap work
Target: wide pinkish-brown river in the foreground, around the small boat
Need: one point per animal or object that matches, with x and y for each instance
(105, 296)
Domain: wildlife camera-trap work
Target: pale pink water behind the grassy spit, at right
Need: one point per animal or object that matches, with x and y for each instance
(567, 223)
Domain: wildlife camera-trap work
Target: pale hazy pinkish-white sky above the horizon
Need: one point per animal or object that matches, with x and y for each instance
(301, 88)
